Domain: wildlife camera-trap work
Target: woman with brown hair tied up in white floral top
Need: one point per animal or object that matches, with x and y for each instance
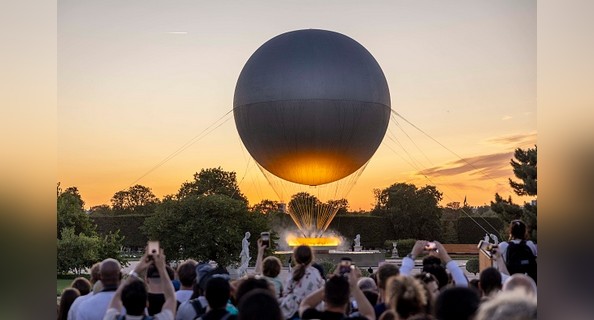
(304, 280)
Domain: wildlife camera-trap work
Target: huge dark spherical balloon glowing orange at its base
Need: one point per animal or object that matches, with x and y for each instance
(311, 106)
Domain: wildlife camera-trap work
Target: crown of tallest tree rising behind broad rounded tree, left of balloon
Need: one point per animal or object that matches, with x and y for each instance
(212, 181)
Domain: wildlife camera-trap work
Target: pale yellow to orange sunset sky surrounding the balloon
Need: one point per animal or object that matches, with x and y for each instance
(139, 80)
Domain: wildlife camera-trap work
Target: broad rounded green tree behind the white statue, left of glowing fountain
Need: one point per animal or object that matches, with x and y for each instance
(204, 227)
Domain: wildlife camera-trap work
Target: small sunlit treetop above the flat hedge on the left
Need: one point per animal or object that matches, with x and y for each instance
(136, 199)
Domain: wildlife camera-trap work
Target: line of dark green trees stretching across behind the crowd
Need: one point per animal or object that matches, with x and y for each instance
(208, 216)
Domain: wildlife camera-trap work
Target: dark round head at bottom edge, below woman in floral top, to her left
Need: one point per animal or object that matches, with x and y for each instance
(259, 304)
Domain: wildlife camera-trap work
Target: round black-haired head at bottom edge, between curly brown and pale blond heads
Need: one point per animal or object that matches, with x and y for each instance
(457, 303)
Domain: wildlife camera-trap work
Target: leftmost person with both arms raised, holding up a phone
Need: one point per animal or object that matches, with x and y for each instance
(132, 294)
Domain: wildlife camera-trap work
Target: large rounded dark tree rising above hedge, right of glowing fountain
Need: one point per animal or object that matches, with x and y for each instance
(413, 212)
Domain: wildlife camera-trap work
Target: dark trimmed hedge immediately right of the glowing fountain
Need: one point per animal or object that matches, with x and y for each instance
(373, 230)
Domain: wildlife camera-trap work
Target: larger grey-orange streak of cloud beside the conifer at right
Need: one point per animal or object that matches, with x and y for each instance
(487, 166)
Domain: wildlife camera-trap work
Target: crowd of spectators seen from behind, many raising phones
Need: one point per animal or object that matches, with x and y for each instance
(153, 290)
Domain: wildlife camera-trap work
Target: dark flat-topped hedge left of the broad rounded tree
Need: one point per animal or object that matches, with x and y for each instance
(129, 226)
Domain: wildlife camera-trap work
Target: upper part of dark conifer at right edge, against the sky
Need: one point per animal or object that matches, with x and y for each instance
(524, 166)
